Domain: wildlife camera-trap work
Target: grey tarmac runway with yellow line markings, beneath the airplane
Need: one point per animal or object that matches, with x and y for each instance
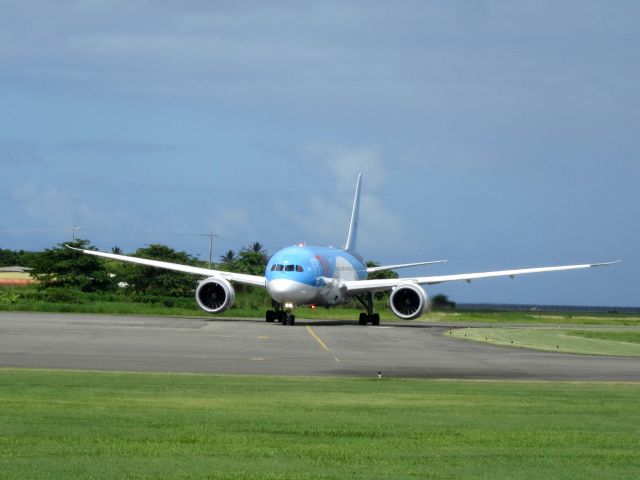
(316, 348)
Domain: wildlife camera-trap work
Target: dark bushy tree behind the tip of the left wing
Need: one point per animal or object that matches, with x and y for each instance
(63, 267)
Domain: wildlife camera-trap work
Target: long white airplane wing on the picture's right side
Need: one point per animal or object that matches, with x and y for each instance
(361, 286)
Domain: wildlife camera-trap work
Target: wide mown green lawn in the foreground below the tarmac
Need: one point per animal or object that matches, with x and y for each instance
(60, 424)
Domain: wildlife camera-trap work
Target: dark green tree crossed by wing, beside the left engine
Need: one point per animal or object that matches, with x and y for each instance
(156, 281)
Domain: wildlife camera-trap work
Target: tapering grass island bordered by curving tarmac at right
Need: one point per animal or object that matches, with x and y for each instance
(588, 342)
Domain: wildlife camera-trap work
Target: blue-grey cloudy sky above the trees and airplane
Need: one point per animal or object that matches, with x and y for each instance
(494, 134)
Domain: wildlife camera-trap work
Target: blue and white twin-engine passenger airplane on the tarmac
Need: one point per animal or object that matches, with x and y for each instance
(325, 276)
